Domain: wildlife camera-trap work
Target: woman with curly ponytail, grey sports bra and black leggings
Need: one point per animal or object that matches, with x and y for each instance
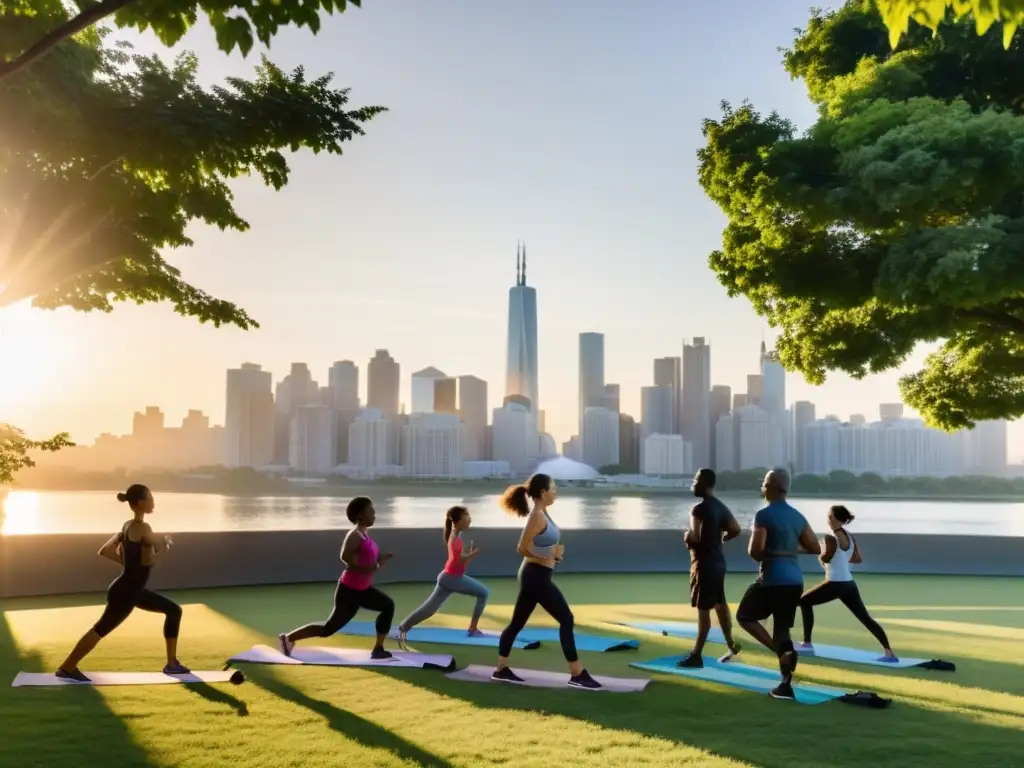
(539, 545)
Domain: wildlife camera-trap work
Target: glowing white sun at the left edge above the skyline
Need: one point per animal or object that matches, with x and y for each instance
(35, 353)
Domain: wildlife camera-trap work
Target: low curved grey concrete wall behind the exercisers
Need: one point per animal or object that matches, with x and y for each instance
(32, 566)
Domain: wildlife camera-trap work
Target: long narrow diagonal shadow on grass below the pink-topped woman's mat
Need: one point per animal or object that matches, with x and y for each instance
(349, 724)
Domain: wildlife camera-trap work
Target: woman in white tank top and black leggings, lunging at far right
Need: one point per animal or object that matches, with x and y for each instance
(840, 552)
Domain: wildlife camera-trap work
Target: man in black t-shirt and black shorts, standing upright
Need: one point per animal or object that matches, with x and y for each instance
(711, 525)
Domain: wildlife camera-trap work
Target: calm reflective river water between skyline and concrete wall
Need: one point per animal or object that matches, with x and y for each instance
(55, 513)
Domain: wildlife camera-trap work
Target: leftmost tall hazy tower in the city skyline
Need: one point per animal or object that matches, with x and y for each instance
(249, 420)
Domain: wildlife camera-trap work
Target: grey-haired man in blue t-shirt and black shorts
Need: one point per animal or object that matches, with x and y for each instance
(781, 535)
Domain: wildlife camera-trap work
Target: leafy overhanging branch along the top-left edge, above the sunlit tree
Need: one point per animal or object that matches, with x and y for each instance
(238, 24)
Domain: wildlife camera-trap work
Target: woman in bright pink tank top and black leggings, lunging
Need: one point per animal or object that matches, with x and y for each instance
(362, 560)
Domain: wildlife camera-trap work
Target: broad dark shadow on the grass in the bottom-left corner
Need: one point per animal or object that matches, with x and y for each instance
(35, 720)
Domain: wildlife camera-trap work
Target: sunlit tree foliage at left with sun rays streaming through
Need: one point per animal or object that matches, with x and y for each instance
(108, 157)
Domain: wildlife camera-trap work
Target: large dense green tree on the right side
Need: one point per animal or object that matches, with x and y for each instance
(897, 219)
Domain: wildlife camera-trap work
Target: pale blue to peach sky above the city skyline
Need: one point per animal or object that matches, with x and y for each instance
(573, 127)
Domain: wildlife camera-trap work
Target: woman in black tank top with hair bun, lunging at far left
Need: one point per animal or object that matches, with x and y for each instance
(136, 548)
